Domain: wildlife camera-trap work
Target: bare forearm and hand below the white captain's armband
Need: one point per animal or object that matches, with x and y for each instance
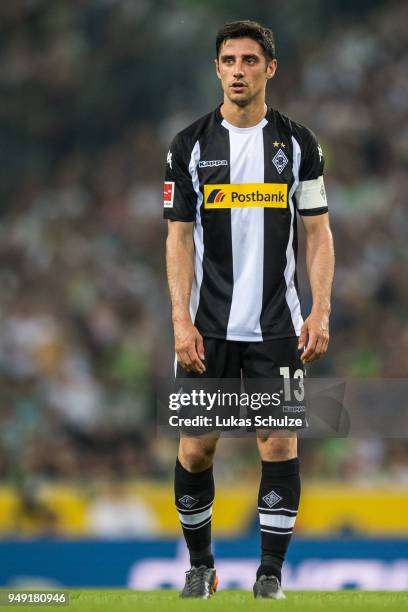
(320, 267)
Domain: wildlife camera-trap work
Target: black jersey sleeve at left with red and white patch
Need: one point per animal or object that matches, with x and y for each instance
(179, 197)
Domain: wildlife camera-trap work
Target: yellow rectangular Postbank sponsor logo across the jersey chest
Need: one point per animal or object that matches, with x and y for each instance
(249, 195)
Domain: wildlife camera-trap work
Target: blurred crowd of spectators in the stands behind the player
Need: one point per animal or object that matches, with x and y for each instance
(92, 93)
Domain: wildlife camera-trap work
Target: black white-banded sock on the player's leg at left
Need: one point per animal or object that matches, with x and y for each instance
(194, 496)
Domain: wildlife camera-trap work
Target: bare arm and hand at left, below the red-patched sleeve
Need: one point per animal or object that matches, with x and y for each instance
(188, 342)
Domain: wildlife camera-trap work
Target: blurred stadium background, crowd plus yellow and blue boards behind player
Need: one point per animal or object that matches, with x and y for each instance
(92, 91)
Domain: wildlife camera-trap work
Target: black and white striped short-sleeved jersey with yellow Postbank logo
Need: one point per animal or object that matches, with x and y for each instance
(242, 187)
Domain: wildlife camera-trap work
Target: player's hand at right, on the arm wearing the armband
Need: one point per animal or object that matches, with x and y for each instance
(314, 336)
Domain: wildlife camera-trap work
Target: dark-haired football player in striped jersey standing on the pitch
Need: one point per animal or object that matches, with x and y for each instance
(234, 182)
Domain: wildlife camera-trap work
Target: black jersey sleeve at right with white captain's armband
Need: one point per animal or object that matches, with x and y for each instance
(310, 195)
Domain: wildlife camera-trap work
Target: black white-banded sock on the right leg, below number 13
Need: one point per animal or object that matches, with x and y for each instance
(278, 502)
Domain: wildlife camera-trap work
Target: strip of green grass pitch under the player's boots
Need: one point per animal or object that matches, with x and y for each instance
(225, 601)
